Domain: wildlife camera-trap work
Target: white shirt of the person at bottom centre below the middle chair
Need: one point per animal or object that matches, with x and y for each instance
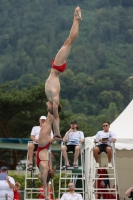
(73, 196)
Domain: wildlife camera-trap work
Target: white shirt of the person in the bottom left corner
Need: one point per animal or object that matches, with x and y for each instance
(5, 189)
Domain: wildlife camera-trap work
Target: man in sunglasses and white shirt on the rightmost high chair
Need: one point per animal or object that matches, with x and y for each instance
(104, 139)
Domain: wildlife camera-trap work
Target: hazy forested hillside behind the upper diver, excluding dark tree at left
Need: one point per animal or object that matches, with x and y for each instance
(101, 59)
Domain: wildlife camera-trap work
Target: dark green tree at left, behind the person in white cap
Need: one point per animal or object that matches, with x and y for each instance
(19, 112)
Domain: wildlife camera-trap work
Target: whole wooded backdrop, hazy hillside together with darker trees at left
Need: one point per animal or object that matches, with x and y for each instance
(95, 87)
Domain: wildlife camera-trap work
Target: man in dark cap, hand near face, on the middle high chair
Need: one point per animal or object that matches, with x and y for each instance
(73, 139)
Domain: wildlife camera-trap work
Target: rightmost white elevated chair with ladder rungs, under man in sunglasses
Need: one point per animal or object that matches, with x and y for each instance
(94, 175)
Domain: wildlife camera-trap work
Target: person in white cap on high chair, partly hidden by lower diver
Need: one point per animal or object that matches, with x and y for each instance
(32, 146)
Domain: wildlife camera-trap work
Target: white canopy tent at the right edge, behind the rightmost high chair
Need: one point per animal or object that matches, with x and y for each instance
(123, 127)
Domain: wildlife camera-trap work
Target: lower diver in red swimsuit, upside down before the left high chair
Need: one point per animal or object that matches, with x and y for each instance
(42, 157)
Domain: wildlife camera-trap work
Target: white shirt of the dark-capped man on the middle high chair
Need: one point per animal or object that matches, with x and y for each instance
(74, 137)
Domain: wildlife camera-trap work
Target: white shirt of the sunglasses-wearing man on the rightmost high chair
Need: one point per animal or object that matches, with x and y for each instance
(102, 134)
